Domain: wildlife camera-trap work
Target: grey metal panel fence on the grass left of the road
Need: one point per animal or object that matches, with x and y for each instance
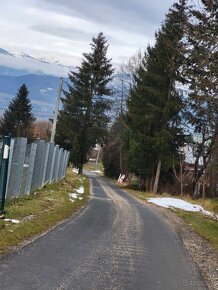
(33, 165)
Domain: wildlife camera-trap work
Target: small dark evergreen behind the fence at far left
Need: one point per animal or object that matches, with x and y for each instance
(18, 118)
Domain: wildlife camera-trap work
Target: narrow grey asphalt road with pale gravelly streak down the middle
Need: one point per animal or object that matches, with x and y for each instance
(116, 242)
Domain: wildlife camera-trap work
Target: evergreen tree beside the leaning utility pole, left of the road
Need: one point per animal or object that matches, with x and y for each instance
(83, 120)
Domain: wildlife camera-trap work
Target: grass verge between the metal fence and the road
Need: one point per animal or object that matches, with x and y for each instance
(41, 210)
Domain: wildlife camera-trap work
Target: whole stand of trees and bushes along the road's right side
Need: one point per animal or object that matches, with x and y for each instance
(166, 133)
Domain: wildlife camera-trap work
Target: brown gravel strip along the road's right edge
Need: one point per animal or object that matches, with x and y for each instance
(204, 255)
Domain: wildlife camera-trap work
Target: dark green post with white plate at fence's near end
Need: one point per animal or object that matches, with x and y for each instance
(4, 171)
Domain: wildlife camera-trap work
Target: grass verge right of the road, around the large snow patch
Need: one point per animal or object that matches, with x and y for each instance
(204, 226)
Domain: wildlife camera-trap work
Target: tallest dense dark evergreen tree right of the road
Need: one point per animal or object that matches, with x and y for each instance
(154, 105)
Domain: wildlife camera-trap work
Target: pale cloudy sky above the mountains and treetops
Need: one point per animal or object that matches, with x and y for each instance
(63, 29)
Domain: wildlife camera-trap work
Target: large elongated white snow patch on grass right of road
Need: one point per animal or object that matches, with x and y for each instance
(169, 202)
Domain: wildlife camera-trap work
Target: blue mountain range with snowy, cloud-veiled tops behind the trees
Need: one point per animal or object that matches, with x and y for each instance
(41, 77)
